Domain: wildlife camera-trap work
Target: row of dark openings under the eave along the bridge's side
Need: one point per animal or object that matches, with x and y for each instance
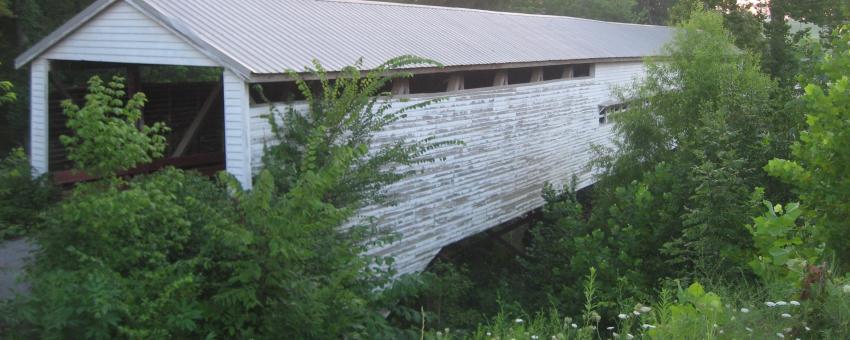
(438, 82)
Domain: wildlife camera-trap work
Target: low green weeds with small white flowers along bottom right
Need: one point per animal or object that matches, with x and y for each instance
(682, 313)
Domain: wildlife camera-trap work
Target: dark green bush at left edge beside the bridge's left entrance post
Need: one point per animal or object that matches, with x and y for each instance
(22, 197)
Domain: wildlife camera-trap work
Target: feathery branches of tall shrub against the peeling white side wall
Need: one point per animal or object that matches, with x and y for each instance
(344, 117)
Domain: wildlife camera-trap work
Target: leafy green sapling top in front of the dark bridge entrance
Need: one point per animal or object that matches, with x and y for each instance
(106, 139)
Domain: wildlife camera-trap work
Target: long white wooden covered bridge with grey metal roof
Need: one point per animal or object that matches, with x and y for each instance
(528, 94)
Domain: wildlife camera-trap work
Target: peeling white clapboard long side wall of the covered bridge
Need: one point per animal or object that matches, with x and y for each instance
(516, 139)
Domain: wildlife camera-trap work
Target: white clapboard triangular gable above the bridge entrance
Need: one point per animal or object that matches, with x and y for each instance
(122, 34)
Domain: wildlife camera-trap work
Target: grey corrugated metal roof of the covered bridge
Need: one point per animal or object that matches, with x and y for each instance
(266, 37)
